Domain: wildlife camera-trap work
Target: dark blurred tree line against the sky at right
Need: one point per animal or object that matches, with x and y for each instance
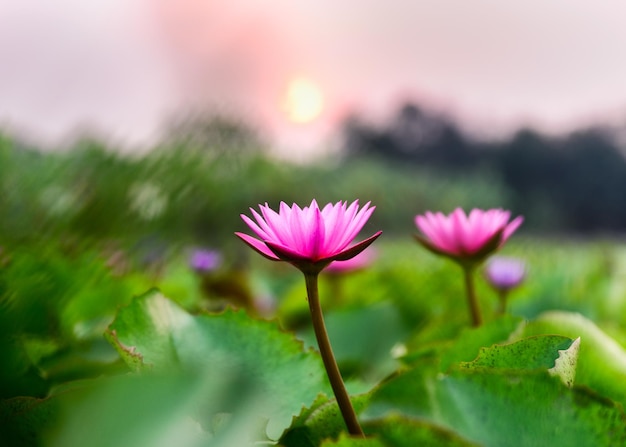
(574, 182)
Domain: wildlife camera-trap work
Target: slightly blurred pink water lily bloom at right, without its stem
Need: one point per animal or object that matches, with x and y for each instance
(466, 238)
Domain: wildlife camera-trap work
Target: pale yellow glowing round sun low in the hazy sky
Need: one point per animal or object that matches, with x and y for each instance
(303, 101)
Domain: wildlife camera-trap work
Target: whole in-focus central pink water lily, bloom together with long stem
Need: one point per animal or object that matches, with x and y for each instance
(310, 239)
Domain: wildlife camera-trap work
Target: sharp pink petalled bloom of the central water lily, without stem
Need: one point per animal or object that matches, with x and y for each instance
(309, 238)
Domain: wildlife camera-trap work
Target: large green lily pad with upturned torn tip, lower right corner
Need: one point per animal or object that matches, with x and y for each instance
(505, 397)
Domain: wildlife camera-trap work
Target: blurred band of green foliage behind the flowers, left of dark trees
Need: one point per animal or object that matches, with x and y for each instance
(180, 193)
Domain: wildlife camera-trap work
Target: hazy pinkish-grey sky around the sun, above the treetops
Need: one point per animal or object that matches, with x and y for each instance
(124, 67)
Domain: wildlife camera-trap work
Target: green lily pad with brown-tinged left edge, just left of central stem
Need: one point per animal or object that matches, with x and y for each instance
(154, 333)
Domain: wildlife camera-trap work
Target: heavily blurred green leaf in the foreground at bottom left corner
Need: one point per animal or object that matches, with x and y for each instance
(148, 409)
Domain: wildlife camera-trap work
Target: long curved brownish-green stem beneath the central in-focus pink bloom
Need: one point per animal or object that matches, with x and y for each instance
(336, 382)
